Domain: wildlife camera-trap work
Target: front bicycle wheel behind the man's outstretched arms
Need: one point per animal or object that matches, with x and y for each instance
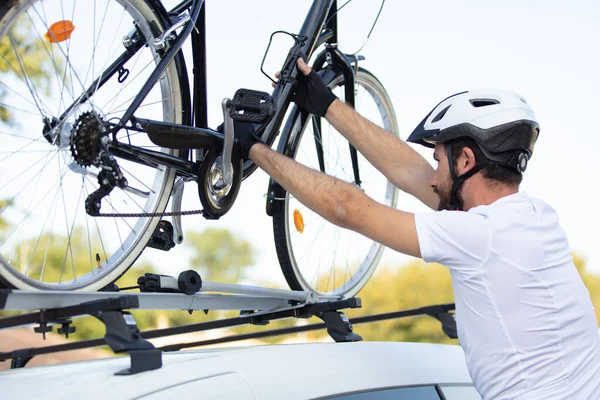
(314, 254)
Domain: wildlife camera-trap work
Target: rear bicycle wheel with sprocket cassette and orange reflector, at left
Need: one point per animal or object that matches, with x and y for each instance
(50, 52)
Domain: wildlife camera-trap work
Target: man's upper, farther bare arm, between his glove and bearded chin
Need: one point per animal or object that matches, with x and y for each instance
(400, 163)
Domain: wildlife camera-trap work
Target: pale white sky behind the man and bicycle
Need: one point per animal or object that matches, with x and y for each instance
(423, 52)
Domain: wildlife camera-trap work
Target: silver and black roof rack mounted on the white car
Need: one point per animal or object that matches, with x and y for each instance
(257, 306)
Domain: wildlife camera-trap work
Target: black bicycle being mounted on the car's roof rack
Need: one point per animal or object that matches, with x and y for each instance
(126, 134)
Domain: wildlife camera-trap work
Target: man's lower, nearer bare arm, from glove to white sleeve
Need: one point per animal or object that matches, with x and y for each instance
(339, 202)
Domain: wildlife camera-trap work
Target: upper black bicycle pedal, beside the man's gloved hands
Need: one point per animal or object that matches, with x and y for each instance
(251, 106)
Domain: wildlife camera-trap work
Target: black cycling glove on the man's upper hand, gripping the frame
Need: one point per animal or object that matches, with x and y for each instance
(312, 94)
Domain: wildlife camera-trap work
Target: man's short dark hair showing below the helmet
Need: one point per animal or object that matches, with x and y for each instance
(492, 170)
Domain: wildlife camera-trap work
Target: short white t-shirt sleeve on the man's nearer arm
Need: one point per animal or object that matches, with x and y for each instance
(459, 240)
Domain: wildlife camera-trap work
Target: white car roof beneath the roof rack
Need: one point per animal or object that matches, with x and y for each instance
(294, 371)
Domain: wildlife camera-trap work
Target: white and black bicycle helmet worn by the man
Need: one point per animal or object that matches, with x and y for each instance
(501, 122)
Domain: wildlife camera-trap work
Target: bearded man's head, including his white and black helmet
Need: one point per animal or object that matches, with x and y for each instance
(491, 131)
